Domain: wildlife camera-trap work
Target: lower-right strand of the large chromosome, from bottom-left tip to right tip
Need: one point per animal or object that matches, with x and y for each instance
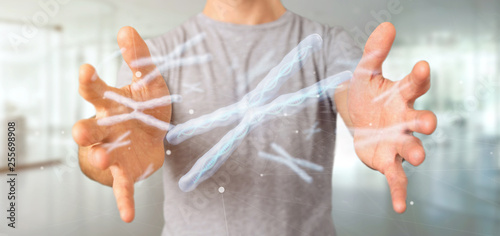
(287, 104)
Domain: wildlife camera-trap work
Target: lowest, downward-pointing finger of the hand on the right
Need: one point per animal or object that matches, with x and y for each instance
(398, 183)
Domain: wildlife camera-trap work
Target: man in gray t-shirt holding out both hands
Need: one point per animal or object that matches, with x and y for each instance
(249, 194)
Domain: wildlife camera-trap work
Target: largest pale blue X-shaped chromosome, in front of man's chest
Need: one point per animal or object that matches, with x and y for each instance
(253, 111)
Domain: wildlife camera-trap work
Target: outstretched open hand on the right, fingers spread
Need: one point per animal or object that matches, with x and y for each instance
(382, 114)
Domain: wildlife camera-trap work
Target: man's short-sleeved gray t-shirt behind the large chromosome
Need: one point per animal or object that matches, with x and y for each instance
(214, 64)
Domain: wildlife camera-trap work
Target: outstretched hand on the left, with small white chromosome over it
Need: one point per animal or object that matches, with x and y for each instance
(121, 167)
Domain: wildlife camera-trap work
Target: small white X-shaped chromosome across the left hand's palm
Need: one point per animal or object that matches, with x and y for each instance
(138, 108)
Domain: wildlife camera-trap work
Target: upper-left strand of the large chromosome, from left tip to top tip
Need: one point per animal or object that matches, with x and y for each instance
(265, 91)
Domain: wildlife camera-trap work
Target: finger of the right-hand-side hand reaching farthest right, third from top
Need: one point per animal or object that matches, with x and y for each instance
(423, 122)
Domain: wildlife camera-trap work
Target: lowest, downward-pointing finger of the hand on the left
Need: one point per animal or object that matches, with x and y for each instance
(123, 188)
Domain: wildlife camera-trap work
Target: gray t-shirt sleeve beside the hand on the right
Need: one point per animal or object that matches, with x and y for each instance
(342, 51)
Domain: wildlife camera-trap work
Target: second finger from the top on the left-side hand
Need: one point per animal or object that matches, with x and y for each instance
(91, 87)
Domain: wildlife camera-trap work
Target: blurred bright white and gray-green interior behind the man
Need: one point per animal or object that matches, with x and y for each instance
(456, 191)
